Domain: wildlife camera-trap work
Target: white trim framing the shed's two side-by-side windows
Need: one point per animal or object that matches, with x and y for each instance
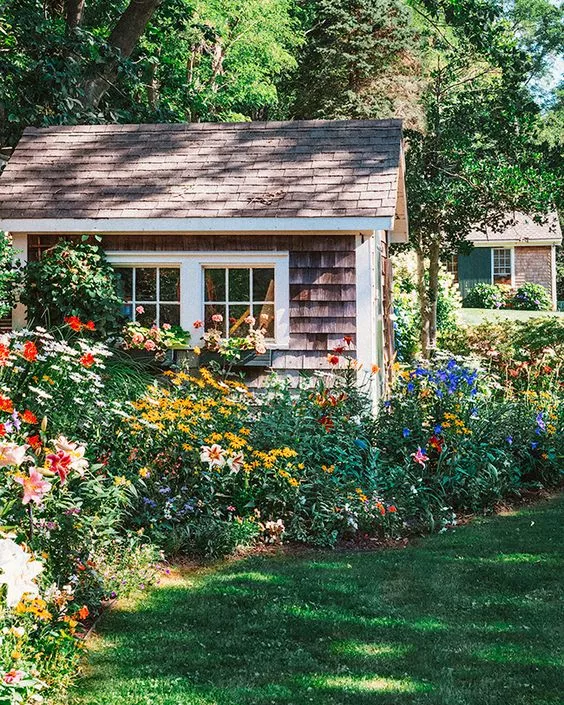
(192, 266)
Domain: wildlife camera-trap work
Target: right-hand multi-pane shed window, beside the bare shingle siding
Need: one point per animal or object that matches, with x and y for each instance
(237, 293)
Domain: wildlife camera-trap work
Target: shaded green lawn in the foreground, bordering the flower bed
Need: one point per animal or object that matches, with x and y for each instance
(470, 617)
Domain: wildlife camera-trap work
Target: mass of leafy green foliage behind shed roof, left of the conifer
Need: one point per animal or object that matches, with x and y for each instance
(197, 60)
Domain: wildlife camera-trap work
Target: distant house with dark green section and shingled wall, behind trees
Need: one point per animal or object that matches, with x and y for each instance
(524, 252)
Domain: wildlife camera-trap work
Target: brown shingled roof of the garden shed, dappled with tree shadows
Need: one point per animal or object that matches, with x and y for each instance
(347, 168)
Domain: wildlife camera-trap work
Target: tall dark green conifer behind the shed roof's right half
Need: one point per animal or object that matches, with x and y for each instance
(352, 63)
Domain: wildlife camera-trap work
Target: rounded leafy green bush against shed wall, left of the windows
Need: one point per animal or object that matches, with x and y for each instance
(72, 279)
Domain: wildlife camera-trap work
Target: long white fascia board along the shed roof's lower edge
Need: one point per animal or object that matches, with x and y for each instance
(194, 225)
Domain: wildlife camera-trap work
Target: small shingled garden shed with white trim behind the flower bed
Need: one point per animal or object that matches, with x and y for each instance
(292, 220)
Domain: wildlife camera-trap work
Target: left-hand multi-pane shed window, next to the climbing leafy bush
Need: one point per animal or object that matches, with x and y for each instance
(151, 295)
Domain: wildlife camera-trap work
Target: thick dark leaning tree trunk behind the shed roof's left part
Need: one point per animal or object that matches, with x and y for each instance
(122, 40)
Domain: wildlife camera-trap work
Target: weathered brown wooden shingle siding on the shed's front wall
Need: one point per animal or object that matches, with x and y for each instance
(322, 283)
